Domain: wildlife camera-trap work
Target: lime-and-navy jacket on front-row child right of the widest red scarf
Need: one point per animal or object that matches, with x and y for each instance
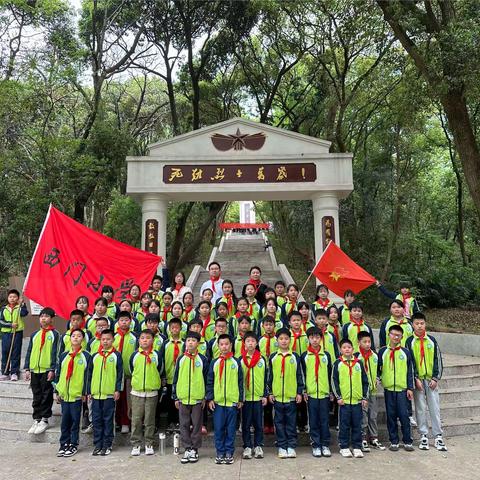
(287, 386)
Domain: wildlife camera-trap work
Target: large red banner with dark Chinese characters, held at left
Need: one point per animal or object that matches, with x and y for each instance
(72, 260)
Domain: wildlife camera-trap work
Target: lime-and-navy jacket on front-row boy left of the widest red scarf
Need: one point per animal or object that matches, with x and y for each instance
(228, 390)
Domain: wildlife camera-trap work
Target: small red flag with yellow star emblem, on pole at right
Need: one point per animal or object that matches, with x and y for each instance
(339, 272)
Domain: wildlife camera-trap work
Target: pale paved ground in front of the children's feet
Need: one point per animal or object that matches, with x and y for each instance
(37, 461)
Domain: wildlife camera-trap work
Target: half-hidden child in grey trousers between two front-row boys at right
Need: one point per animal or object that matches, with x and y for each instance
(369, 358)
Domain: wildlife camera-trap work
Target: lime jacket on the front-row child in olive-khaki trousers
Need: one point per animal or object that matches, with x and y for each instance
(146, 375)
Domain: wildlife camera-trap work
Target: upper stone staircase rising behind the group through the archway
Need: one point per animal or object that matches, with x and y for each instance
(239, 253)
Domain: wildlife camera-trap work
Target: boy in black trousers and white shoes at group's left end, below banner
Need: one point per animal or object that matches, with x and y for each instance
(39, 367)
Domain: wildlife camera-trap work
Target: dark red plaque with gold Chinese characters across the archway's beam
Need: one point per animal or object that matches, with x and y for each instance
(251, 173)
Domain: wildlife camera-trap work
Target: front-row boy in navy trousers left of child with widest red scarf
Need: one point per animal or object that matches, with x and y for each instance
(225, 396)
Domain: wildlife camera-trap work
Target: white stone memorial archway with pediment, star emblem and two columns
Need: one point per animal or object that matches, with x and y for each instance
(239, 160)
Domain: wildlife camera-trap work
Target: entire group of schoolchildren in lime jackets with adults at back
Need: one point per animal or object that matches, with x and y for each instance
(281, 366)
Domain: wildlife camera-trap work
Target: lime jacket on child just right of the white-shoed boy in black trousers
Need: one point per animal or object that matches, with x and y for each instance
(75, 387)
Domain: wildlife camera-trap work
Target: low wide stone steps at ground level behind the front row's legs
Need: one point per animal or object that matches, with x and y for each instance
(460, 401)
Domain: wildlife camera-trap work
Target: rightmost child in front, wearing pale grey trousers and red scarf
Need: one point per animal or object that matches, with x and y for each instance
(427, 360)
